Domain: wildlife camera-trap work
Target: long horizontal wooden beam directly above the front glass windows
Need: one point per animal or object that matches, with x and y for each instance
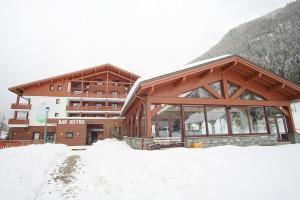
(226, 102)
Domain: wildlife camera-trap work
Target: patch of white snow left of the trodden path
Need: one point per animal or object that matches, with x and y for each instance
(24, 170)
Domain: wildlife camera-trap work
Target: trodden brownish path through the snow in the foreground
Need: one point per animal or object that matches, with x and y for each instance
(62, 181)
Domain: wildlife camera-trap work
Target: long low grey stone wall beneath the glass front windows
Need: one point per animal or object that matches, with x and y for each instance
(237, 140)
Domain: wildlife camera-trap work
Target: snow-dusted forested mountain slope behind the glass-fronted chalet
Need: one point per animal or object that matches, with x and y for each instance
(271, 41)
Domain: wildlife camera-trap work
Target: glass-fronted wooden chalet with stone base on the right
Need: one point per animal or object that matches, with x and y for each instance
(225, 100)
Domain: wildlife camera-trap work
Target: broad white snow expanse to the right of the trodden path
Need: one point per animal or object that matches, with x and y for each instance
(115, 171)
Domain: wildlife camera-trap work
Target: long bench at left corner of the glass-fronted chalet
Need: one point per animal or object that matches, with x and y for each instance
(159, 142)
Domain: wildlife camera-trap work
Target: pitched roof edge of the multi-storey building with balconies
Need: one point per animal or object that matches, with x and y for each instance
(76, 74)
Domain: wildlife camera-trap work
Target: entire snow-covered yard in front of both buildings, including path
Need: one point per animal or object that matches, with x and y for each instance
(112, 170)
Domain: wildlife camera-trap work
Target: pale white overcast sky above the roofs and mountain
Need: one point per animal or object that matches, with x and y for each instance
(43, 38)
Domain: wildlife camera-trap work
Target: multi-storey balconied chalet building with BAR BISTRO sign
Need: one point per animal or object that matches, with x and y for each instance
(83, 106)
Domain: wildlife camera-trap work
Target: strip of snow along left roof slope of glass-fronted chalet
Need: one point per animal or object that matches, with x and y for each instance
(176, 70)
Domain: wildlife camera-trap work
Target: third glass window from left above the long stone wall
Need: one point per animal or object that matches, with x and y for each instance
(239, 120)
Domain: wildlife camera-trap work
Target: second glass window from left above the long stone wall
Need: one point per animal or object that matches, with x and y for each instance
(216, 120)
